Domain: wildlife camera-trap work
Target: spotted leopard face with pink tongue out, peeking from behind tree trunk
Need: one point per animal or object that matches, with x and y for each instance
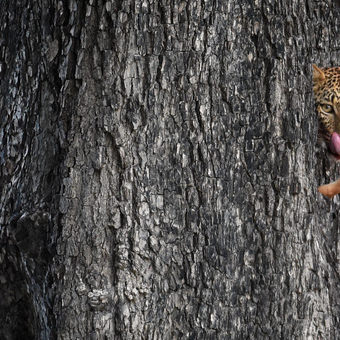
(326, 87)
